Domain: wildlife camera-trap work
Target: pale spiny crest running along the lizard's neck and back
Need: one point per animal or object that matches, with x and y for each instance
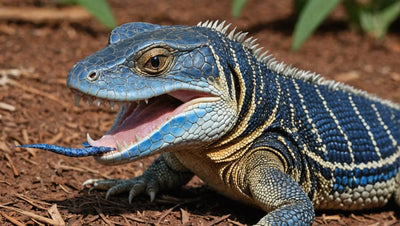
(283, 69)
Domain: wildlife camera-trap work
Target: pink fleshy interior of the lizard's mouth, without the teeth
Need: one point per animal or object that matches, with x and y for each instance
(141, 119)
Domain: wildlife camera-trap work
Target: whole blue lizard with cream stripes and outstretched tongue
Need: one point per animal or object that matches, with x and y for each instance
(258, 131)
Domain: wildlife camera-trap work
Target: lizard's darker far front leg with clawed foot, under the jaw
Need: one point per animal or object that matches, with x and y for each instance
(166, 172)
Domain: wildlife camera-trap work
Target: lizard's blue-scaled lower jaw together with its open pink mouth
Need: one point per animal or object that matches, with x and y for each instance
(146, 126)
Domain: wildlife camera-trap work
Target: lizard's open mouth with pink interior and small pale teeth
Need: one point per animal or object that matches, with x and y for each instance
(138, 119)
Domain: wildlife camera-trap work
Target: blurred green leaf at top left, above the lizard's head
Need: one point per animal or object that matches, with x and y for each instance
(100, 10)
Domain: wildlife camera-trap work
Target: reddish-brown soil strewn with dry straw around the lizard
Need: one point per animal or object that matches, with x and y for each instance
(36, 107)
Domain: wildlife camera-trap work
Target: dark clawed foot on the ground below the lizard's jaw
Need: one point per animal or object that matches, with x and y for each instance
(134, 186)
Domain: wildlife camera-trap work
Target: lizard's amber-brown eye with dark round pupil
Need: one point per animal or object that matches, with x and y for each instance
(154, 61)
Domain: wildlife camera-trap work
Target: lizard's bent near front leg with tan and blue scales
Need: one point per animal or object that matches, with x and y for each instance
(276, 192)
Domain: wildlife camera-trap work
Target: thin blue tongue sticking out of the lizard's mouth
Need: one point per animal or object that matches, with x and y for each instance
(71, 152)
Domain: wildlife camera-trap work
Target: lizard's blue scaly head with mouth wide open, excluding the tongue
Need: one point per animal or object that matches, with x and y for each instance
(172, 86)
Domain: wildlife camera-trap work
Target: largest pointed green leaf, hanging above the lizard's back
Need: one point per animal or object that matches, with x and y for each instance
(312, 15)
